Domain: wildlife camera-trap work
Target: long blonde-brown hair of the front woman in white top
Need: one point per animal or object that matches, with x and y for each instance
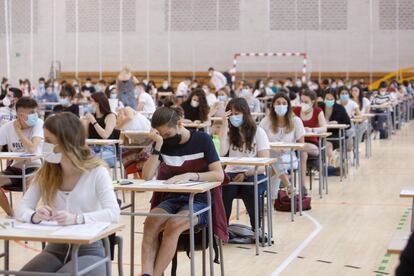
(72, 140)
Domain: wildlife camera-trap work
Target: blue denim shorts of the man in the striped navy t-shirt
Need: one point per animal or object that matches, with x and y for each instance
(174, 205)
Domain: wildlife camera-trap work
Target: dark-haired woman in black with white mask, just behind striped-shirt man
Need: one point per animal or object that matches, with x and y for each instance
(196, 107)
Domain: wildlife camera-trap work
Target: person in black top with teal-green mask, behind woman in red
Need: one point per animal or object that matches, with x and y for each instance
(335, 113)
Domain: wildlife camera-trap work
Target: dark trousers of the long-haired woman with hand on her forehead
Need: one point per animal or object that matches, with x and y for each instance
(246, 193)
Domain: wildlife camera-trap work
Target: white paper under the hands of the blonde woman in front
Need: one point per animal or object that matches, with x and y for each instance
(82, 230)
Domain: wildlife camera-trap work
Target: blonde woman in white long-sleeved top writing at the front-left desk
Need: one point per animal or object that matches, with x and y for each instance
(71, 187)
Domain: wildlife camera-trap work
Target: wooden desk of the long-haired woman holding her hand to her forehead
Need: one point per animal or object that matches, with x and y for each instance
(256, 162)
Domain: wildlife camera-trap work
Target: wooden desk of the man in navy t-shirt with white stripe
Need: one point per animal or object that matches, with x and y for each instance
(140, 186)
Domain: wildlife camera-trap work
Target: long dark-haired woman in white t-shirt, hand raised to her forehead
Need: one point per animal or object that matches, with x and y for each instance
(241, 137)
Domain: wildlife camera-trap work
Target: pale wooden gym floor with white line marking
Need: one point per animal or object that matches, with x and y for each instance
(345, 233)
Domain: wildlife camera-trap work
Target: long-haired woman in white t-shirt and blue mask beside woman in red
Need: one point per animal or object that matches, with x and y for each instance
(281, 125)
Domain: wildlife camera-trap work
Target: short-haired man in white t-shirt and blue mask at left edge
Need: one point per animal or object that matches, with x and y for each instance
(24, 134)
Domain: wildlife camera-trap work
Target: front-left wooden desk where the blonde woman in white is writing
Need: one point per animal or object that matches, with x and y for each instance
(16, 234)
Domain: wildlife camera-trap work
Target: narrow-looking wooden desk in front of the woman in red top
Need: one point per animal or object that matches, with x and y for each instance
(323, 166)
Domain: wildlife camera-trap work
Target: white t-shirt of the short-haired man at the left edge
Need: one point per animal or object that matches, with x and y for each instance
(8, 136)
